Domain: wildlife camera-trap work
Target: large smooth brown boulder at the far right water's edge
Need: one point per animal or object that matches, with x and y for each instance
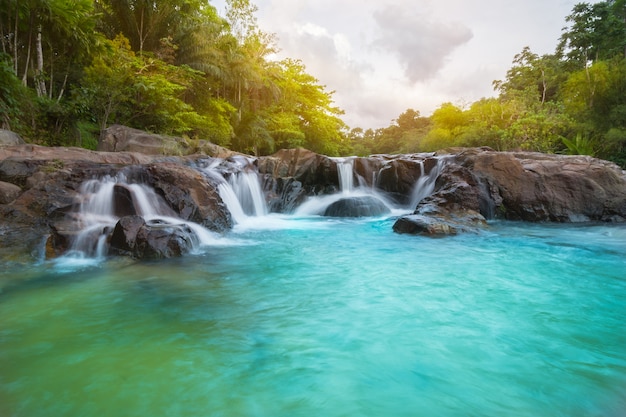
(538, 187)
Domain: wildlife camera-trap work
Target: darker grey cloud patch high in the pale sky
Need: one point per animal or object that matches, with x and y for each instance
(420, 43)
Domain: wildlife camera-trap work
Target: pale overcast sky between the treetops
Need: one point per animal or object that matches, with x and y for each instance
(383, 57)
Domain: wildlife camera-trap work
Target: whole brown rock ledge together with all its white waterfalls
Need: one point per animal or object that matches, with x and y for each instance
(96, 204)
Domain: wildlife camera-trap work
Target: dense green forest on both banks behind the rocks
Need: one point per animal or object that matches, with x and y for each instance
(69, 68)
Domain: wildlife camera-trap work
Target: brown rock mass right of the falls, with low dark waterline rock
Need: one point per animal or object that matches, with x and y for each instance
(519, 186)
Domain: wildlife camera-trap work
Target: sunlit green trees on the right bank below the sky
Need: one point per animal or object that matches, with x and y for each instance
(571, 101)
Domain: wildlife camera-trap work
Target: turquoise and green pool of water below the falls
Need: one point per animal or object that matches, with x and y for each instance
(322, 317)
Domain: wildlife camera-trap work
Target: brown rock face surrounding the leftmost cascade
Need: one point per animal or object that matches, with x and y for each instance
(40, 190)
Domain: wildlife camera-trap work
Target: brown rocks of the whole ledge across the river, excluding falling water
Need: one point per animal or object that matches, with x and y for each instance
(40, 190)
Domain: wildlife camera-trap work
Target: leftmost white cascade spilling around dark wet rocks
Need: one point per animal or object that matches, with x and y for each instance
(117, 217)
